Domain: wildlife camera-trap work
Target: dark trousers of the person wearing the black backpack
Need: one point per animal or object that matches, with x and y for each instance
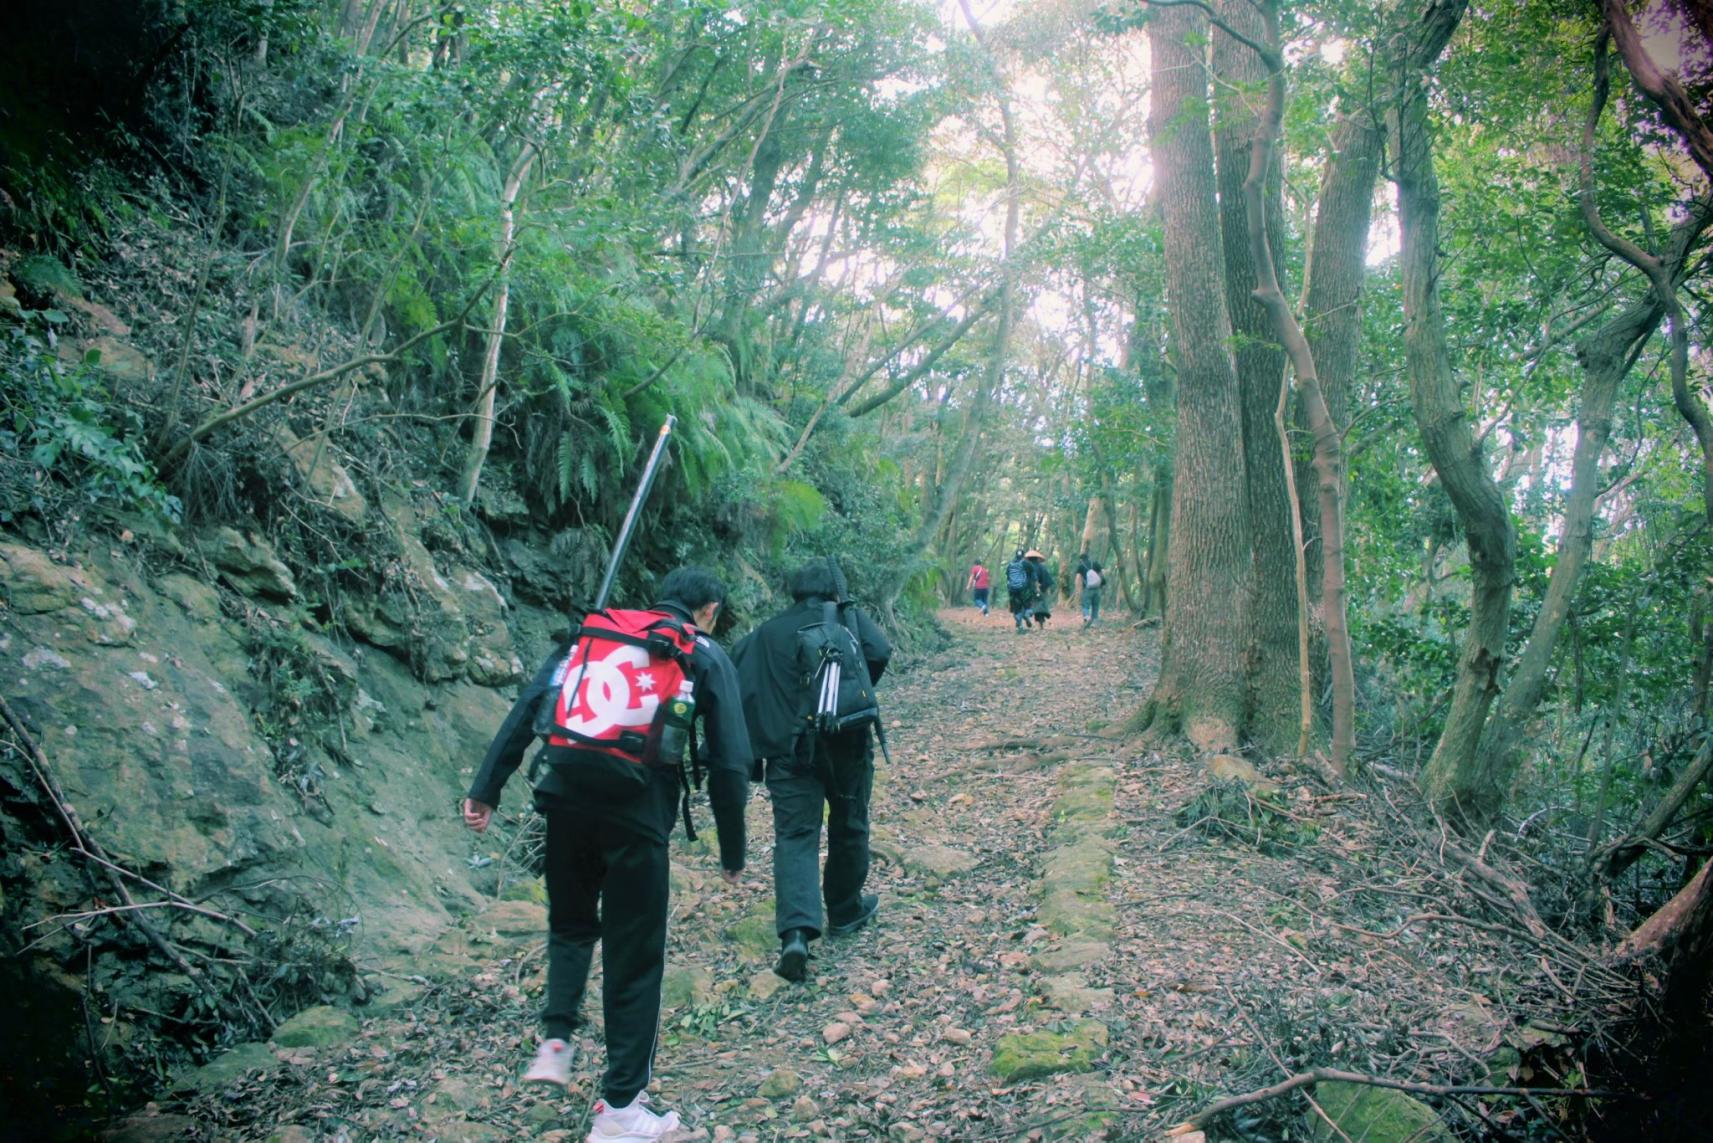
(839, 774)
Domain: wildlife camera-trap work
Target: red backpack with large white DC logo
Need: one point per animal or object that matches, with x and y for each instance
(607, 697)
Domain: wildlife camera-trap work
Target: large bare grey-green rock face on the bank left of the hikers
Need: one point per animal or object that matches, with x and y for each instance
(160, 722)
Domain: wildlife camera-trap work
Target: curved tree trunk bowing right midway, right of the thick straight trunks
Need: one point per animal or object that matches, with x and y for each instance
(1452, 779)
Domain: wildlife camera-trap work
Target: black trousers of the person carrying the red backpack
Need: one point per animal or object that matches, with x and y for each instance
(607, 883)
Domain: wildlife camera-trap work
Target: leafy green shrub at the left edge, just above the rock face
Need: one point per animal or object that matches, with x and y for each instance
(61, 433)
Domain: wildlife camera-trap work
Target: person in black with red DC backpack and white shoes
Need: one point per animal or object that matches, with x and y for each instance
(609, 820)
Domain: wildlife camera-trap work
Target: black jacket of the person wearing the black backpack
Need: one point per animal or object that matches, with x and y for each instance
(775, 698)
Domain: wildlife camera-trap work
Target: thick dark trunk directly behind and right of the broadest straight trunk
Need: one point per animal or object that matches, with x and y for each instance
(1272, 719)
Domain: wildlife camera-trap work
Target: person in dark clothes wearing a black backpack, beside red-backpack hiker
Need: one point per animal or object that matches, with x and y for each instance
(808, 767)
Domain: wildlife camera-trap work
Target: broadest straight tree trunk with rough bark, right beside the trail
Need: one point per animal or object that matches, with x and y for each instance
(1202, 690)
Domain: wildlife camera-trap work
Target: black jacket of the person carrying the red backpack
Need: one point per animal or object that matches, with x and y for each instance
(725, 748)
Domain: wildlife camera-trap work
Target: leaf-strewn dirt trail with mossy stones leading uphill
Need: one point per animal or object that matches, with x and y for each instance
(1054, 957)
